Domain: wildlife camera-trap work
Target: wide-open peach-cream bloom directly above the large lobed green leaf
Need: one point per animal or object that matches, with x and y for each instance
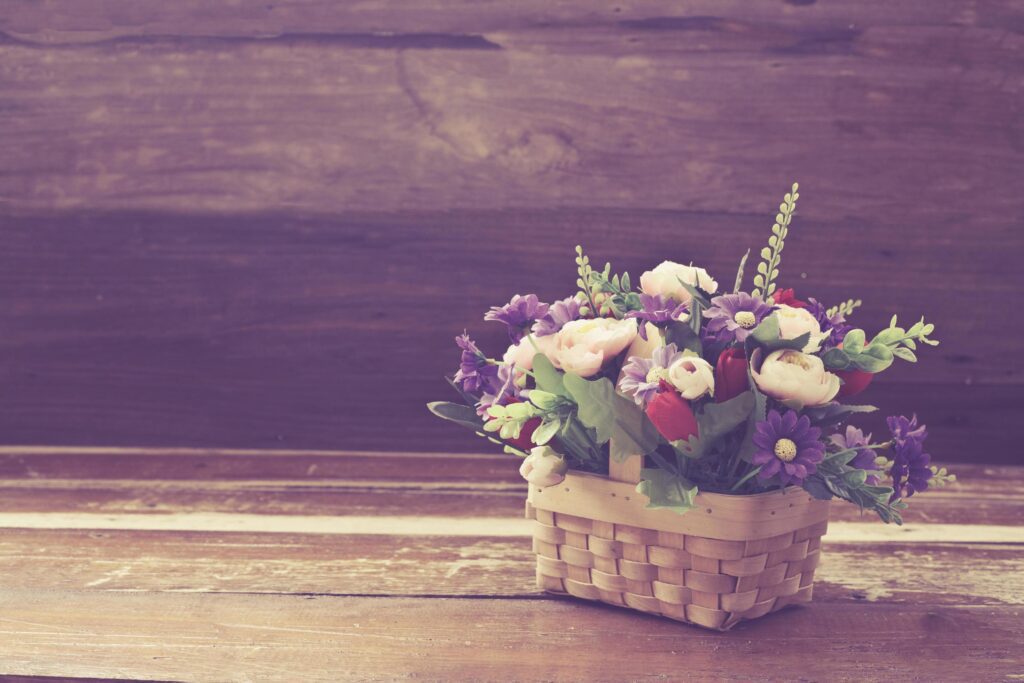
(583, 348)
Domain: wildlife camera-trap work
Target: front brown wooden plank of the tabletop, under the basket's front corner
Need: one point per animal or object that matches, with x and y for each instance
(234, 637)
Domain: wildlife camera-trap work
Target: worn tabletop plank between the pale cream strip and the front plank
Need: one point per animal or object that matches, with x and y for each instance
(479, 566)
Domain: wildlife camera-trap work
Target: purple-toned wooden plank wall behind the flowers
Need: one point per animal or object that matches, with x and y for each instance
(261, 225)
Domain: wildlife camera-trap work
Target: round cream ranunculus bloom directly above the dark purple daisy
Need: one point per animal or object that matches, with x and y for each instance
(791, 375)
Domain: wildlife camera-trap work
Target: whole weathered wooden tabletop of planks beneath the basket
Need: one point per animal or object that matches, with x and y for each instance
(188, 565)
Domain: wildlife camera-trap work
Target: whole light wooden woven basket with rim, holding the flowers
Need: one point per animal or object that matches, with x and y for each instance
(729, 560)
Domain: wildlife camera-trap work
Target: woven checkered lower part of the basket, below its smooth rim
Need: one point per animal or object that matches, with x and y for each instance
(703, 581)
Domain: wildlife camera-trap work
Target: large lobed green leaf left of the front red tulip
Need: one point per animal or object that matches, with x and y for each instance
(613, 417)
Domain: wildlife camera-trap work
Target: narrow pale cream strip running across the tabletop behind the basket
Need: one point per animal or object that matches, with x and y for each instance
(839, 532)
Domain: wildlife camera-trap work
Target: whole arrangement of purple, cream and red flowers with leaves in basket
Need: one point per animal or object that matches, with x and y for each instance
(738, 393)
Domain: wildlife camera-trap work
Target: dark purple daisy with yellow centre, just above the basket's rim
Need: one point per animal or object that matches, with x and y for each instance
(787, 446)
